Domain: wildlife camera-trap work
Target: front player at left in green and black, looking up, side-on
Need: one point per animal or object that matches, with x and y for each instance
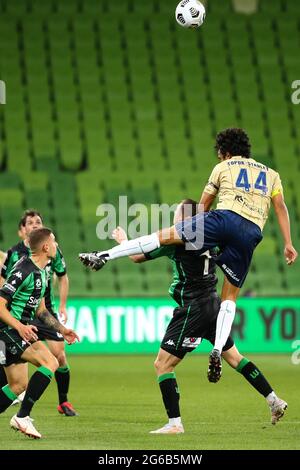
(21, 298)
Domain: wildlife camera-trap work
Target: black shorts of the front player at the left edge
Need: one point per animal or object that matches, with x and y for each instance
(14, 346)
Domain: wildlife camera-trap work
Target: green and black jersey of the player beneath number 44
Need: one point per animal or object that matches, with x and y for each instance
(194, 275)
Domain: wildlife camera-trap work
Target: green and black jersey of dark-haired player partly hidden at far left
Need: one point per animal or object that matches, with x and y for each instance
(57, 266)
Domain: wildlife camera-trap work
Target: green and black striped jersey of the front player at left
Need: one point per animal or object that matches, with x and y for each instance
(24, 289)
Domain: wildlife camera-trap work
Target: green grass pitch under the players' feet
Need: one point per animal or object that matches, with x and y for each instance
(119, 403)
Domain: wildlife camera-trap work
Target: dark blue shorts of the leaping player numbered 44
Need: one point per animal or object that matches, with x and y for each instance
(236, 237)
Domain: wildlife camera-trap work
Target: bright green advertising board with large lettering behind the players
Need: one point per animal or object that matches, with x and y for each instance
(136, 326)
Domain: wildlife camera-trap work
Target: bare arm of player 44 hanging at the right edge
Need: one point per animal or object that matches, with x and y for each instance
(282, 215)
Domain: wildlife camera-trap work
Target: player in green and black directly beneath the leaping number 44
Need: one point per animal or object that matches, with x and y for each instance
(194, 290)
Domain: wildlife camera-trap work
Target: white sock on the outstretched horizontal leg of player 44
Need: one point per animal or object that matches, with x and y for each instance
(136, 246)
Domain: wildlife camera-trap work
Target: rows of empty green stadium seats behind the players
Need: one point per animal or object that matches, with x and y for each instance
(113, 98)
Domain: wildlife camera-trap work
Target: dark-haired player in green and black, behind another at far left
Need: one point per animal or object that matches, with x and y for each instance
(32, 220)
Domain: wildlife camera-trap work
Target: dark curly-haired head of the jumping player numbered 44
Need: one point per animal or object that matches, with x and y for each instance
(233, 142)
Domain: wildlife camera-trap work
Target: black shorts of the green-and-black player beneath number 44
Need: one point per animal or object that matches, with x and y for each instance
(191, 324)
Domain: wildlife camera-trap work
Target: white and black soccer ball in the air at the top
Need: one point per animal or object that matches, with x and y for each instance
(190, 13)
